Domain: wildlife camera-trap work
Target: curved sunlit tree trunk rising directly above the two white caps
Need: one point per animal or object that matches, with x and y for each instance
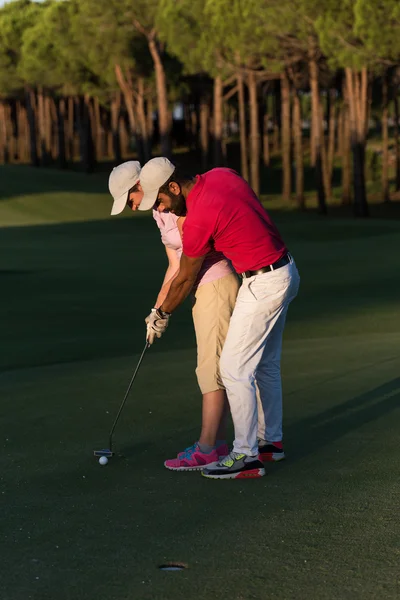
(162, 100)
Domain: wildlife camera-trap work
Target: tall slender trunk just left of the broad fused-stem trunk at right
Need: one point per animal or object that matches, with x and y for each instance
(316, 134)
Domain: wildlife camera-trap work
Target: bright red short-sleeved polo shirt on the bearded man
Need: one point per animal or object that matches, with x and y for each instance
(224, 214)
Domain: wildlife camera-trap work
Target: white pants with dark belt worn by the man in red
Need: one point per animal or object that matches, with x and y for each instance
(252, 353)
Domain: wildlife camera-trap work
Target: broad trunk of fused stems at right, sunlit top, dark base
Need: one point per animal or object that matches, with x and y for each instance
(357, 92)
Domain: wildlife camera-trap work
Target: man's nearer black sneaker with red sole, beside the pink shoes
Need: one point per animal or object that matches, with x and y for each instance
(235, 466)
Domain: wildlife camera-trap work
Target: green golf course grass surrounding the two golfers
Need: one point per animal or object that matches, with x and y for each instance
(322, 525)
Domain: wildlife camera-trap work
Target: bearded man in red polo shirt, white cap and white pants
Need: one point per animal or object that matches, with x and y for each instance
(223, 213)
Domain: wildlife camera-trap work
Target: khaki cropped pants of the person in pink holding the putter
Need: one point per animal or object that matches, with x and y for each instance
(212, 309)
